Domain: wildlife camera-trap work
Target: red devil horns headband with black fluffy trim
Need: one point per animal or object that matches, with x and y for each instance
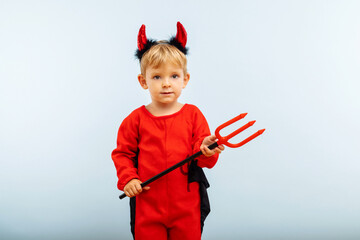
(144, 44)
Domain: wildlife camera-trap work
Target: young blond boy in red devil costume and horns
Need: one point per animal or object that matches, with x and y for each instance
(157, 136)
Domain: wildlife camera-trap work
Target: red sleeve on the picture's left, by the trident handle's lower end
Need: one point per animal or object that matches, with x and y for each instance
(125, 154)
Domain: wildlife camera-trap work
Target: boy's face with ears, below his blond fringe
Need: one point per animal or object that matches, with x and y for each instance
(165, 83)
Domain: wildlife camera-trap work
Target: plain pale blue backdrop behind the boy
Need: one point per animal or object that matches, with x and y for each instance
(68, 79)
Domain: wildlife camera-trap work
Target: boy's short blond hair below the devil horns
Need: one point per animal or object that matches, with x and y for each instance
(161, 53)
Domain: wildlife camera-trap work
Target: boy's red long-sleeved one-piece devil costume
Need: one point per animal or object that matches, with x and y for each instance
(147, 145)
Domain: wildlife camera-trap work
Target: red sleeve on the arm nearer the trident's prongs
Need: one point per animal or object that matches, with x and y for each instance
(200, 131)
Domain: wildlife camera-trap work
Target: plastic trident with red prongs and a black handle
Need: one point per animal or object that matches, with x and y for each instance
(221, 141)
